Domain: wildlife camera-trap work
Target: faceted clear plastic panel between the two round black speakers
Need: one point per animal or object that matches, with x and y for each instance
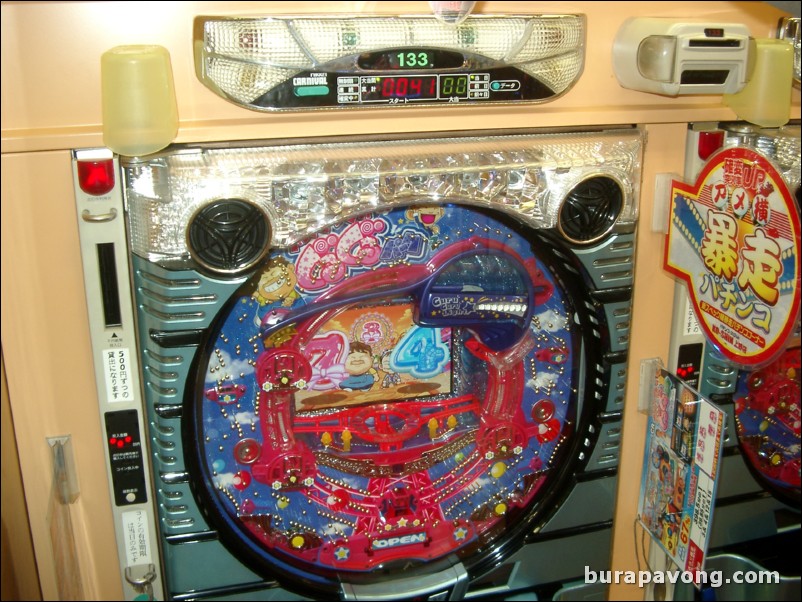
(306, 187)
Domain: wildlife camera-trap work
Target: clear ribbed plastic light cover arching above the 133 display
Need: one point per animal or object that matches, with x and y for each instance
(246, 58)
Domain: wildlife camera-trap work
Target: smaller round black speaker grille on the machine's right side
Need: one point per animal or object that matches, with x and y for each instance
(591, 209)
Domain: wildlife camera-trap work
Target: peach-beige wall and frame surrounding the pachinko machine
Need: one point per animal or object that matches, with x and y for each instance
(51, 103)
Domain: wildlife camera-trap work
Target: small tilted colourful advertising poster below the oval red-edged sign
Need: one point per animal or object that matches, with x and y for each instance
(680, 470)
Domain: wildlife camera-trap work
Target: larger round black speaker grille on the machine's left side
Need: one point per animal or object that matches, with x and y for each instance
(228, 236)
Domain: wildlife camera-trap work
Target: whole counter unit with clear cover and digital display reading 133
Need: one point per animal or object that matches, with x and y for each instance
(313, 63)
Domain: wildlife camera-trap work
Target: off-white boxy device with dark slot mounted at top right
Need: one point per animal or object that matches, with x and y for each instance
(671, 57)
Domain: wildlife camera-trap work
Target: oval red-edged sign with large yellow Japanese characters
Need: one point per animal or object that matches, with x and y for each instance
(734, 239)
